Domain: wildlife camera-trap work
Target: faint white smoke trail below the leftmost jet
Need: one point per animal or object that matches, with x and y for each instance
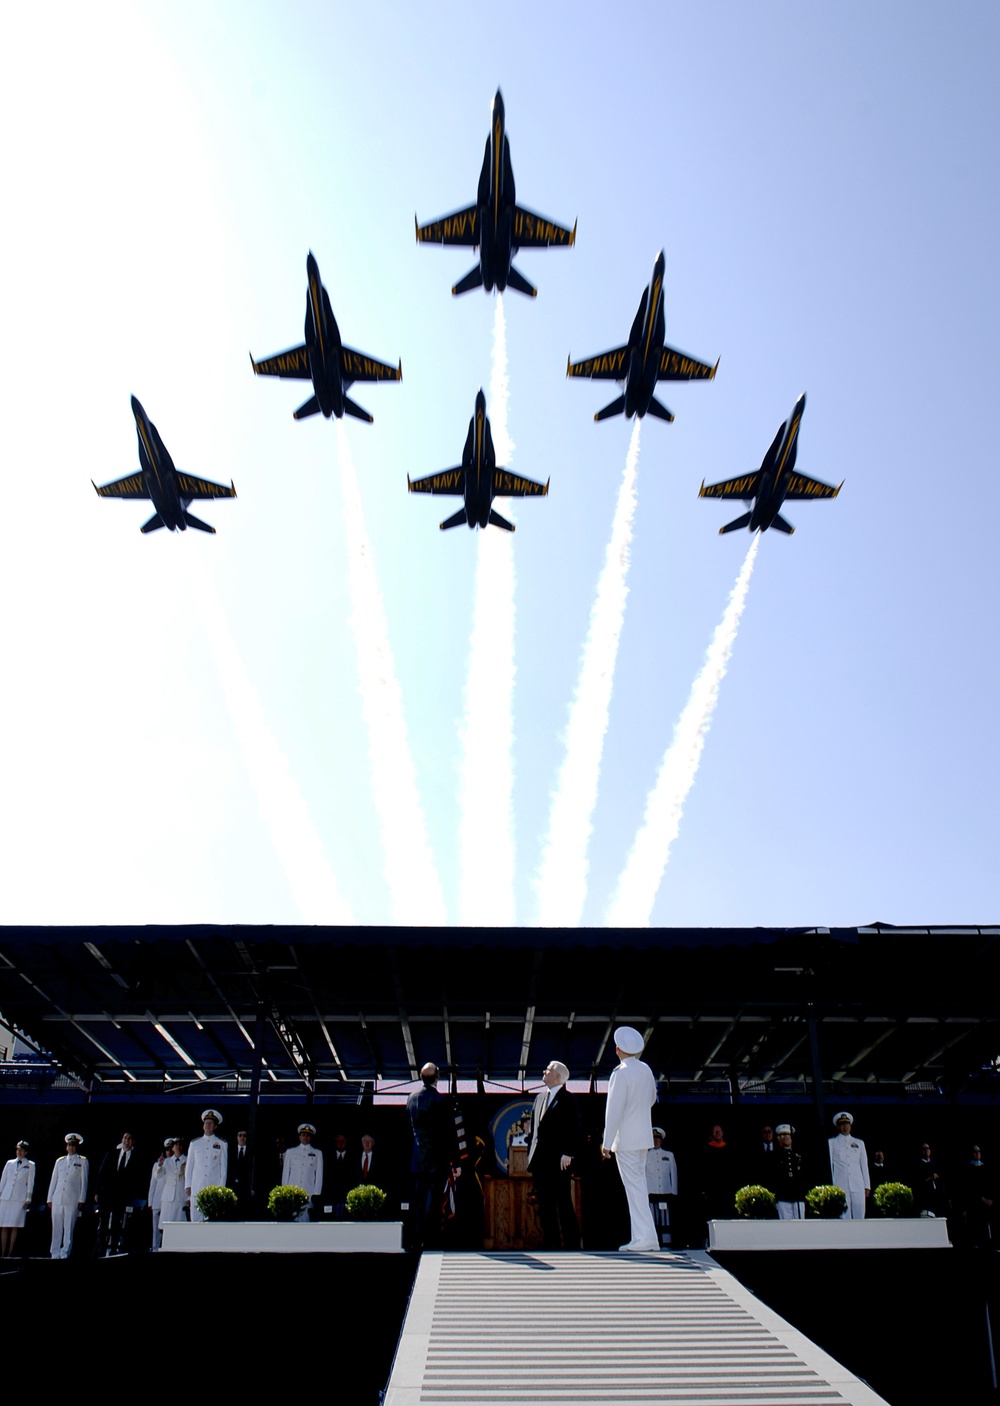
(281, 802)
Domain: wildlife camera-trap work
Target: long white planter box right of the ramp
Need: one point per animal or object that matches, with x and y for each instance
(923, 1234)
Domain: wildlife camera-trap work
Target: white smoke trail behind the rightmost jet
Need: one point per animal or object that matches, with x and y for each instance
(638, 886)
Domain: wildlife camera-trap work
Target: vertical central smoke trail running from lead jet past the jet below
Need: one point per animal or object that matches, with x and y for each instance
(486, 782)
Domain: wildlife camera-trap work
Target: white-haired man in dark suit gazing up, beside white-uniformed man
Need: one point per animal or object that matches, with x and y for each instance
(555, 1145)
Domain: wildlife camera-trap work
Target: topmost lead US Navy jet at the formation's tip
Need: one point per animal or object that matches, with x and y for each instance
(497, 226)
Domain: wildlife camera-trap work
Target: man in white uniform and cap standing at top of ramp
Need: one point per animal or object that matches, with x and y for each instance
(629, 1133)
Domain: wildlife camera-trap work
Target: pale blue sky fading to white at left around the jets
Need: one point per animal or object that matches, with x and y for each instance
(185, 739)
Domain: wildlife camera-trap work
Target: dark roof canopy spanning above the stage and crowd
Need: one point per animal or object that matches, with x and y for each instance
(753, 1009)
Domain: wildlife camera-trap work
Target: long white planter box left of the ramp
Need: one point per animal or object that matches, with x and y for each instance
(283, 1238)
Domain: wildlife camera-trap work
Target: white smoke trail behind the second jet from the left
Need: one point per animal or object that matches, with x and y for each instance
(411, 874)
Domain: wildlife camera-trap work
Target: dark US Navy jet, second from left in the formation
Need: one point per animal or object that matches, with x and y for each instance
(324, 361)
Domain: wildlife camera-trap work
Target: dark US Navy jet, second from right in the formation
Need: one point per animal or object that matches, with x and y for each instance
(643, 361)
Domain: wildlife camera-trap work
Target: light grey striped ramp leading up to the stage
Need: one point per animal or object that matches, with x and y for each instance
(674, 1329)
